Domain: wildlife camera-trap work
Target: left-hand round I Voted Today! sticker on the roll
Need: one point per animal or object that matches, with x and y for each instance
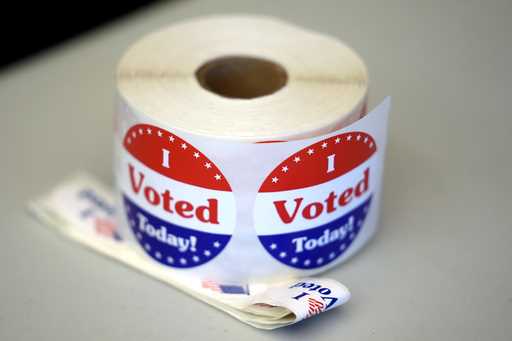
(178, 204)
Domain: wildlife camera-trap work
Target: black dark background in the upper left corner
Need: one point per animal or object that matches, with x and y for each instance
(29, 27)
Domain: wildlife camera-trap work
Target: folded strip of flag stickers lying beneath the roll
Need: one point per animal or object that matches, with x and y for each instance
(82, 209)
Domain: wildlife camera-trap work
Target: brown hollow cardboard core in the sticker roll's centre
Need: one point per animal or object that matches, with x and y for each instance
(241, 77)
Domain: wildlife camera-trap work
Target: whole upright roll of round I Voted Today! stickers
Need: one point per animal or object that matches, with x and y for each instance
(200, 191)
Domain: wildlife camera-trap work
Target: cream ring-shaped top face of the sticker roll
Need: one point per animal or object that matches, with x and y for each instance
(326, 84)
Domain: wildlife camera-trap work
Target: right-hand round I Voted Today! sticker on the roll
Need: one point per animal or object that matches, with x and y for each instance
(311, 207)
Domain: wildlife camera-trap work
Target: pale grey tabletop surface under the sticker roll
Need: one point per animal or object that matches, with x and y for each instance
(440, 267)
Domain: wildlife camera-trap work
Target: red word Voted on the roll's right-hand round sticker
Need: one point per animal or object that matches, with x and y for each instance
(314, 209)
